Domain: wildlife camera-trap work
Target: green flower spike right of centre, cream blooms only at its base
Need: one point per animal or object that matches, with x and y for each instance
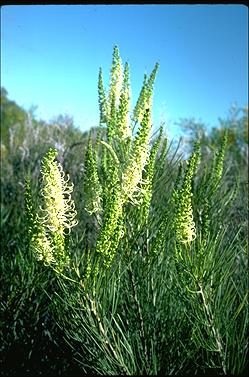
(184, 224)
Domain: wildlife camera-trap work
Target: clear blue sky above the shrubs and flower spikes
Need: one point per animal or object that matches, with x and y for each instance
(51, 56)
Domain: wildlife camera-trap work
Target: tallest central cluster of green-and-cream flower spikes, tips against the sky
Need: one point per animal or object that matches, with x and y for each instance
(123, 159)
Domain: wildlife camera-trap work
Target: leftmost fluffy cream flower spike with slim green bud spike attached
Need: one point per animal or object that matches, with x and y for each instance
(58, 214)
